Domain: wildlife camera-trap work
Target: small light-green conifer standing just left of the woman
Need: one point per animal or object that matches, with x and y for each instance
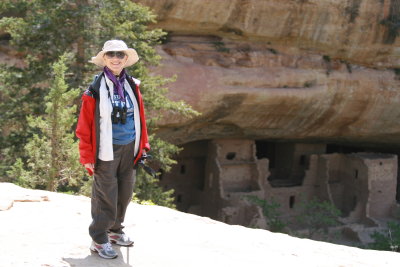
(52, 160)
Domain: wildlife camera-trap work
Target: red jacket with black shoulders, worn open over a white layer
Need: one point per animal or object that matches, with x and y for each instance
(87, 129)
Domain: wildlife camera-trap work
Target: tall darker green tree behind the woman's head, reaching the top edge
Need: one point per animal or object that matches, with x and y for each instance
(43, 30)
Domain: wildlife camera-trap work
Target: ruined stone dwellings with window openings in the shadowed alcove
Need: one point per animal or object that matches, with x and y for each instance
(213, 178)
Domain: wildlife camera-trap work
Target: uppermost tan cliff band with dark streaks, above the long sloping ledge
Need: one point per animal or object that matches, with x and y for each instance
(361, 31)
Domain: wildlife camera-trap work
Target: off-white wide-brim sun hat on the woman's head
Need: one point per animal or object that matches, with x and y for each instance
(115, 45)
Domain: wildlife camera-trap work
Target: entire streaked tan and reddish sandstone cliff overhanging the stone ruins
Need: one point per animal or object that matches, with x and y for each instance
(306, 70)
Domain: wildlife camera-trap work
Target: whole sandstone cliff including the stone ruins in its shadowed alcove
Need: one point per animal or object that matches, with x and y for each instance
(296, 98)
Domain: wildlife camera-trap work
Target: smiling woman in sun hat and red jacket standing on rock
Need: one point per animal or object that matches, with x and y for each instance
(112, 136)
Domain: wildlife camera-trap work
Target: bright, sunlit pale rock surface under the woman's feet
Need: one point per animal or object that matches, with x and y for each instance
(50, 229)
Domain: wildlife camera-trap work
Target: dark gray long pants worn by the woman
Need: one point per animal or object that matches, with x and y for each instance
(111, 192)
